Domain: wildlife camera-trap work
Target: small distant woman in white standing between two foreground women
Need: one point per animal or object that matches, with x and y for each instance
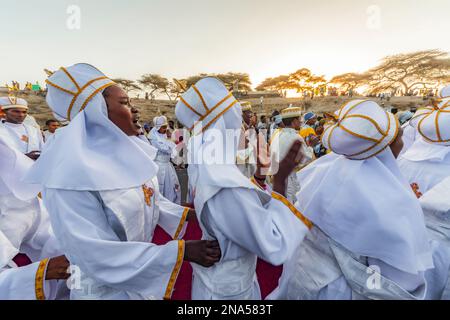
(169, 184)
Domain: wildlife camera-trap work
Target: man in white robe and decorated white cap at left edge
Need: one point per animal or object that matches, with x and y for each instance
(25, 138)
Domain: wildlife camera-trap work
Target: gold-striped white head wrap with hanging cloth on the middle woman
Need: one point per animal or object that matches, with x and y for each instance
(215, 117)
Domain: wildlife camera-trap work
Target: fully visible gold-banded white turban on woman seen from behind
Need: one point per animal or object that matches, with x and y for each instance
(362, 130)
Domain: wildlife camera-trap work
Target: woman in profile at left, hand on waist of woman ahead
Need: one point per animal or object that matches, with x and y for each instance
(101, 191)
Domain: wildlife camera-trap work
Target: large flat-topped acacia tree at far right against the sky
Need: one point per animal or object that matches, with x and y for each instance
(409, 71)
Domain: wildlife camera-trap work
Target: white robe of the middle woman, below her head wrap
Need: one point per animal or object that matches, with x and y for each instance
(246, 228)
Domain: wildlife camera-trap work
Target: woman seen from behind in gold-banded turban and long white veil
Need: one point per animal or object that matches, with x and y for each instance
(369, 239)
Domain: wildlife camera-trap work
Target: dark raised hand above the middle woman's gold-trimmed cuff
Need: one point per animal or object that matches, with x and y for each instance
(286, 167)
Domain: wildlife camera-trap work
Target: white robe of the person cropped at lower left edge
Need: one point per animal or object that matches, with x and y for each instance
(25, 226)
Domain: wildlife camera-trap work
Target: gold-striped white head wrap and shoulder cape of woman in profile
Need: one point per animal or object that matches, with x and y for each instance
(91, 153)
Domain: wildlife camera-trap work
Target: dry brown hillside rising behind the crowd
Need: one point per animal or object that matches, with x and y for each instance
(150, 109)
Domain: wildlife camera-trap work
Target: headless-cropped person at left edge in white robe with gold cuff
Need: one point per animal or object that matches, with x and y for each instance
(31, 262)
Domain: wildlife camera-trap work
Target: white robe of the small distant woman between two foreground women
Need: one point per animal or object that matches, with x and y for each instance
(169, 184)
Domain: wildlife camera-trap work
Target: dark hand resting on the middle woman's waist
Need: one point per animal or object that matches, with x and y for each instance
(202, 252)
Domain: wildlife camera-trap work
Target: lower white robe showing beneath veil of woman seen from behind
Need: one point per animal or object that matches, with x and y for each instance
(303, 279)
